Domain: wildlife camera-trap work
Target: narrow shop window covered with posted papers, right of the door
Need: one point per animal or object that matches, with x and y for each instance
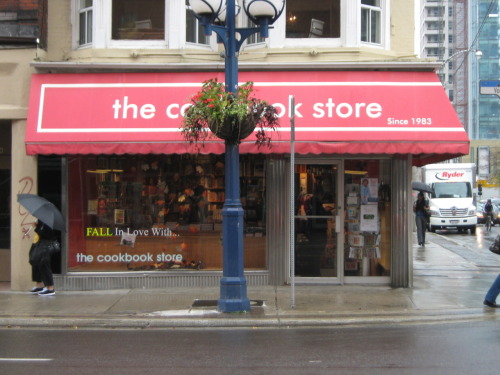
(367, 195)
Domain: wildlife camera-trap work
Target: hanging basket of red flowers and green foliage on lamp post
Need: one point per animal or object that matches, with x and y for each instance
(228, 116)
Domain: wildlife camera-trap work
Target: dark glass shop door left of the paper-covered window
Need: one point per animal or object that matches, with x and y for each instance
(317, 220)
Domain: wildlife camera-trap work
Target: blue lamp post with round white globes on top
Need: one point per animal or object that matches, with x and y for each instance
(216, 16)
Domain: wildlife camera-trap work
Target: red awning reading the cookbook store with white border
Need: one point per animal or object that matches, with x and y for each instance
(362, 113)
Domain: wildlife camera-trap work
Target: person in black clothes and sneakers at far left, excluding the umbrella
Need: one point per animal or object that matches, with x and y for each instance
(40, 259)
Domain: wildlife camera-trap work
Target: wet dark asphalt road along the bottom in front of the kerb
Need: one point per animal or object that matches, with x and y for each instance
(470, 348)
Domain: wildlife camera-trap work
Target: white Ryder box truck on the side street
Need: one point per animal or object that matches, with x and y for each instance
(452, 202)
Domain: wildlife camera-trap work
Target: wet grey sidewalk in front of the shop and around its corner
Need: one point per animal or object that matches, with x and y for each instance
(447, 287)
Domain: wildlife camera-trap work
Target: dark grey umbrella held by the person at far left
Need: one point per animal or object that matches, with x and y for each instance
(43, 210)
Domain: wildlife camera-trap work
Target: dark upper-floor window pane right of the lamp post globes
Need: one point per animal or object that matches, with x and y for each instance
(313, 19)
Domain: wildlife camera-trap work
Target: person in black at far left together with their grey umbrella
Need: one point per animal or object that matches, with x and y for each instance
(44, 242)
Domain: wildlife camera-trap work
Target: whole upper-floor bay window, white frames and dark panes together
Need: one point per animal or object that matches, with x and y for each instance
(171, 24)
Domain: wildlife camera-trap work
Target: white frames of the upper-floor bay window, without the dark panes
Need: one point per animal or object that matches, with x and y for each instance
(175, 30)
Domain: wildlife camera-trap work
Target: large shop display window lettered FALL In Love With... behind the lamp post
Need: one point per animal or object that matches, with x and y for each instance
(158, 212)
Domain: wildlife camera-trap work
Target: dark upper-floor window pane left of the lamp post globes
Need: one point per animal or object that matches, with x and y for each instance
(138, 19)
